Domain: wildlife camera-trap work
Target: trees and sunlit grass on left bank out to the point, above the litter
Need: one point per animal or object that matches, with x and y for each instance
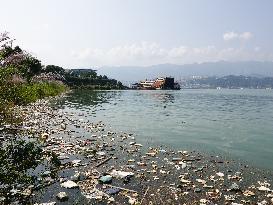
(23, 79)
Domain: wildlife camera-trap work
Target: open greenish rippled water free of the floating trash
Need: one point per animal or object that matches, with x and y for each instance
(237, 123)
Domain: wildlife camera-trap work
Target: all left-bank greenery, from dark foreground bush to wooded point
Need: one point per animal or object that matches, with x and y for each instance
(23, 81)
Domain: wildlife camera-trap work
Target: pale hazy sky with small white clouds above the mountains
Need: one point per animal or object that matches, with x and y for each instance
(88, 33)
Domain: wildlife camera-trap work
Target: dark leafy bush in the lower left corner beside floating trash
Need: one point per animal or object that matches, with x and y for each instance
(17, 158)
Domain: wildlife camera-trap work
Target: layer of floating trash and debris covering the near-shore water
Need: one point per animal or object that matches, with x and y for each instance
(102, 166)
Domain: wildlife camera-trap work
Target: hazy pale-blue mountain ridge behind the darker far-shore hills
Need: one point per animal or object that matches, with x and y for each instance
(221, 68)
